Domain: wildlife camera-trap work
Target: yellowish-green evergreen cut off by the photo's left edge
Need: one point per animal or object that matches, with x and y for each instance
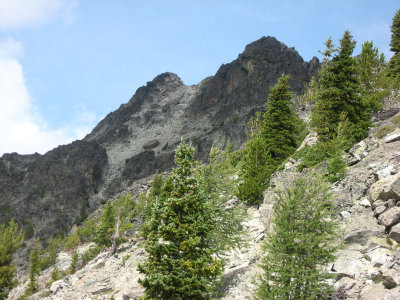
(11, 238)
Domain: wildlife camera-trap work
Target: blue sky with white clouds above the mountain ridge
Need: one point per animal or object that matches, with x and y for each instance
(65, 64)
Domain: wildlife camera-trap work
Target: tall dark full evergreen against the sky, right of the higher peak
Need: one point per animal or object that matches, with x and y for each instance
(339, 93)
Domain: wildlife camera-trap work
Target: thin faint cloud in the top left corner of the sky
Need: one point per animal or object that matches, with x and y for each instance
(16, 14)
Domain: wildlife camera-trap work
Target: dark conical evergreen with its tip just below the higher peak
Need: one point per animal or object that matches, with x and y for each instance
(278, 127)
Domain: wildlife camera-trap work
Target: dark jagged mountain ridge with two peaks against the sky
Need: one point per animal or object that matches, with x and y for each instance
(51, 192)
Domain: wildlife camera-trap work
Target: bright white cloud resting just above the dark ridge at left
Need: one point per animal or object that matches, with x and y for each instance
(22, 129)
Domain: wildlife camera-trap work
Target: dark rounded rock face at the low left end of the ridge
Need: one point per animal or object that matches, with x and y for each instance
(49, 193)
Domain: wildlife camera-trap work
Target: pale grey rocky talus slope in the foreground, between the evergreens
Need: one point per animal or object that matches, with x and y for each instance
(367, 206)
